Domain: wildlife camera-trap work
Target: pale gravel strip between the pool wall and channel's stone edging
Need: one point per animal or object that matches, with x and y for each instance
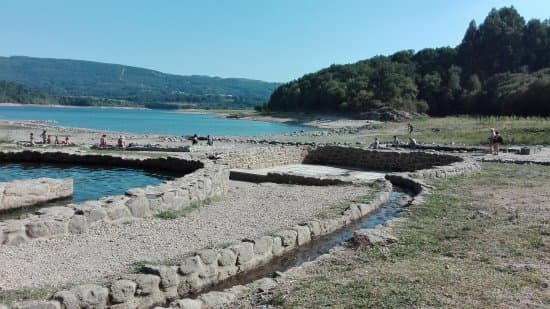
(248, 211)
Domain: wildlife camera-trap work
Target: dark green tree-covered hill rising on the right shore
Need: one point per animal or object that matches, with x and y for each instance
(502, 66)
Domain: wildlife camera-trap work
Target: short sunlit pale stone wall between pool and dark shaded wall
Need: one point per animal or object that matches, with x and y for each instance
(266, 156)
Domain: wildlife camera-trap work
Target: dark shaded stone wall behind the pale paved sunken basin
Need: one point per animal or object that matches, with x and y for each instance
(385, 160)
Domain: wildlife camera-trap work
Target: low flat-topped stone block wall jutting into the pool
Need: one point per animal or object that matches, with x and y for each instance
(29, 192)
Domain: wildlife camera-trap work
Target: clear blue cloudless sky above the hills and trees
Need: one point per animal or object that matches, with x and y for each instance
(268, 40)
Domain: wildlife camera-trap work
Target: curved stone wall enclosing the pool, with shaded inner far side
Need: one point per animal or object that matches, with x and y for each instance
(207, 181)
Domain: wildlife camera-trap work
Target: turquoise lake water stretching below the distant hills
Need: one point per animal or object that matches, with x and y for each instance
(145, 121)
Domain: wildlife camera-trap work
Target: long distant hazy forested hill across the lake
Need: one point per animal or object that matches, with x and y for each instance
(75, 78)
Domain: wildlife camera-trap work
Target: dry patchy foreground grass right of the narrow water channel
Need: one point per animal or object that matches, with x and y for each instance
(466, 246)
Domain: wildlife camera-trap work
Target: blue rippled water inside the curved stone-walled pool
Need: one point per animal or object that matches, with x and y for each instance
(90, 183)
